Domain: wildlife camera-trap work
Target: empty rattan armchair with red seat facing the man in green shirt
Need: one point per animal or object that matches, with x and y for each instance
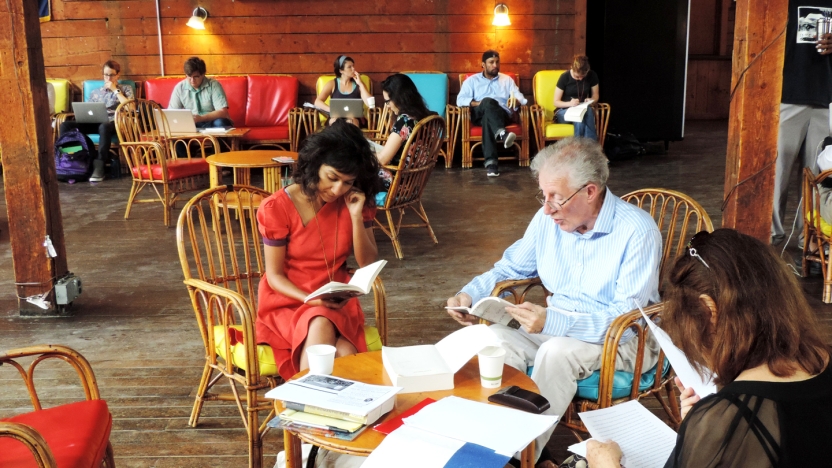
(151, 154)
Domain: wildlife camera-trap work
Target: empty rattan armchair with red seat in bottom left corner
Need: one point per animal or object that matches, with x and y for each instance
(42, 433)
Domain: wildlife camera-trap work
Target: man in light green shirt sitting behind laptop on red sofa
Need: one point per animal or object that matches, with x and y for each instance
(203, 96)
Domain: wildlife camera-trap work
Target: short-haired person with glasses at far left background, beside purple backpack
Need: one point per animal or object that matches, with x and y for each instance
(111, 94)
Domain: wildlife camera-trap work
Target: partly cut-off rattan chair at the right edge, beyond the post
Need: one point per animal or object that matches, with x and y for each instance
(817, 232)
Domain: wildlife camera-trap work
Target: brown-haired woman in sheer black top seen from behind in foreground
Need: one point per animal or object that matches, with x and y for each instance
(733, 306)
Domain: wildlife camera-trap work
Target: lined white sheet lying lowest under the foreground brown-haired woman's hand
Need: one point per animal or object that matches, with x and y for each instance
(645, 440)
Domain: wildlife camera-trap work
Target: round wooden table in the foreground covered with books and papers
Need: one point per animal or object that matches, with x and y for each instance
(367, 368)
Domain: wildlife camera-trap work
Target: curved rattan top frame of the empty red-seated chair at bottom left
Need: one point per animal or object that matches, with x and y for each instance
(44, 352)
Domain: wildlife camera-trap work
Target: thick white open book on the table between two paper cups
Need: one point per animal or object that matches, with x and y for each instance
(425, 368)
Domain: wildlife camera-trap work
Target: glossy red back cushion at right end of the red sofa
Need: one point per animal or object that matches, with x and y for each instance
(269, 100)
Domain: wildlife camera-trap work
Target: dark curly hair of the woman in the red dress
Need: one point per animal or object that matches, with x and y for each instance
(343, 146)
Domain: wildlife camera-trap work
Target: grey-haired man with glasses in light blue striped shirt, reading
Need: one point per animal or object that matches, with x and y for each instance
(597, 254)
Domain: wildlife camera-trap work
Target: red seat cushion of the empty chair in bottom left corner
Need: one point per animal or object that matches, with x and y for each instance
(76, 433)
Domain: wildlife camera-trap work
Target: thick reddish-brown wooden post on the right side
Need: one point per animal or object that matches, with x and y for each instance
(756, 82)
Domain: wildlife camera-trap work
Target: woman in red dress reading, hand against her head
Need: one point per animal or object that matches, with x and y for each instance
(309, 229)
